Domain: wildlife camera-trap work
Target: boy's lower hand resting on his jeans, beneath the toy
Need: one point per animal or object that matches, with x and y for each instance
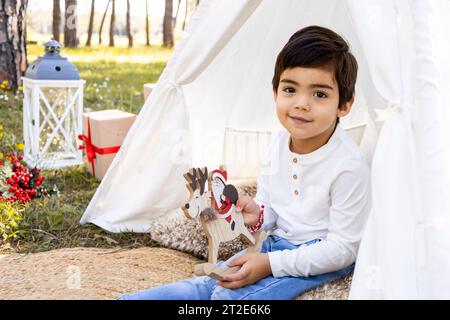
(255, 266)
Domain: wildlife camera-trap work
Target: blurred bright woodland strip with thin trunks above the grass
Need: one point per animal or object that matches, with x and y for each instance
(46, 18)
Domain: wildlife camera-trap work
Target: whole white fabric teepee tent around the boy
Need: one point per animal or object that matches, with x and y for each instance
(216, 91)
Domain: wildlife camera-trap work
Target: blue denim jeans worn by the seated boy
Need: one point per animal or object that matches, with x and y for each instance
(269, 288)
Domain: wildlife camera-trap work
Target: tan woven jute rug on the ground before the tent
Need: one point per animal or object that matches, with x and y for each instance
(90, 273)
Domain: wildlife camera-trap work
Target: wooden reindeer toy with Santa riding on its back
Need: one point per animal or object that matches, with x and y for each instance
(215, 210)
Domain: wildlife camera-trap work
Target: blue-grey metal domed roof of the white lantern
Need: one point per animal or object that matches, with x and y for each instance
(51, 66)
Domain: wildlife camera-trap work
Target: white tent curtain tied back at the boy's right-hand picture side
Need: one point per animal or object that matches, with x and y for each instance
(402, 256)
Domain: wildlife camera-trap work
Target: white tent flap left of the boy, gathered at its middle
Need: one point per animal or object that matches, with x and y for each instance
(146, 176)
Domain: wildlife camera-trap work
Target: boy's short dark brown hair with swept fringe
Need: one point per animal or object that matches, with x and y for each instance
(316, 47)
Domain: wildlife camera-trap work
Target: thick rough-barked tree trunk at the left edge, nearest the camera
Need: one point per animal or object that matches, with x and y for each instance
(13, 52)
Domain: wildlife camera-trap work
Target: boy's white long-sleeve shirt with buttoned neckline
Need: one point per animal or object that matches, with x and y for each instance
(323, 194)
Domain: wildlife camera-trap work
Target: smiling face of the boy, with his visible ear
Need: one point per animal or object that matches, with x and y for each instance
(307, 102)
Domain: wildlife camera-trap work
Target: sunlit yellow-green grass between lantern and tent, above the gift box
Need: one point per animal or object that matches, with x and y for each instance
(114, 76)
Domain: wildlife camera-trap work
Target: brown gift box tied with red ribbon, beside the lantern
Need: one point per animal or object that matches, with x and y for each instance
(103, 134)
